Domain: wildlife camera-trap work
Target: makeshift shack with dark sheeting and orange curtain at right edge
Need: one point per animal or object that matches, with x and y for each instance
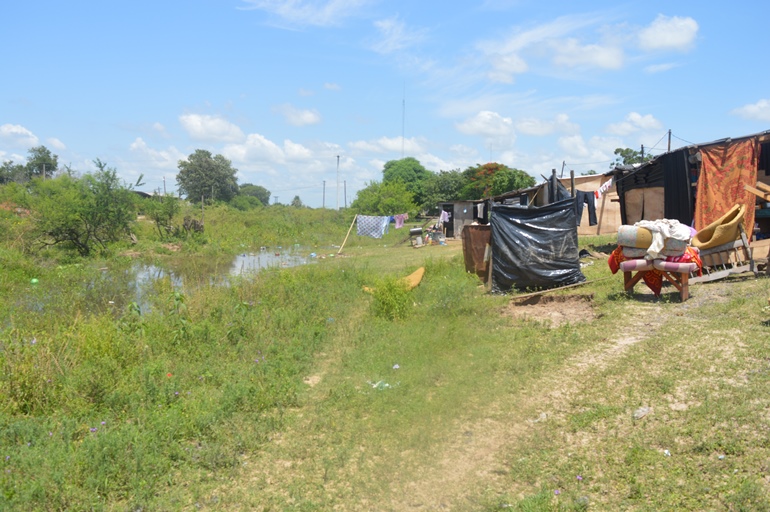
(697, 184)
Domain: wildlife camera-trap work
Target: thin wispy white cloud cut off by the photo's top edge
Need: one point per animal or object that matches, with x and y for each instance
(309, 12)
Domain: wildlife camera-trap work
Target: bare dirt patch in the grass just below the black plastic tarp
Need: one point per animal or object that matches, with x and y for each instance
(556, 310)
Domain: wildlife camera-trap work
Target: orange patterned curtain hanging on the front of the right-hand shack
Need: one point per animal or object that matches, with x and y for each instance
(726, 168)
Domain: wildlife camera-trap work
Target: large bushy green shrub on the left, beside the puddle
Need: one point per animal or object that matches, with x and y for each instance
(84, 213)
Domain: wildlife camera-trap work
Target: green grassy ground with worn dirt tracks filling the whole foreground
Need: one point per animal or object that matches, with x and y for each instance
(297, 390)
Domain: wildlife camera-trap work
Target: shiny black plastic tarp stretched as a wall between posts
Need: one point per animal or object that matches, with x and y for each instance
(534, 247)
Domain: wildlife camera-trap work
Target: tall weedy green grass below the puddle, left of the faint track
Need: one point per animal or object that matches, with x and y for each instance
(103, 404)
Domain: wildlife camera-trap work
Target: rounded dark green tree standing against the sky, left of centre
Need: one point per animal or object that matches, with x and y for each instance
(203, 175)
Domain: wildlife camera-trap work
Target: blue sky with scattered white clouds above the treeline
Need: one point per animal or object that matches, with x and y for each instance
(283, 88)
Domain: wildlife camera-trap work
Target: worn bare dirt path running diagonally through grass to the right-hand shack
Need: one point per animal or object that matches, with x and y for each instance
(472, 459)
